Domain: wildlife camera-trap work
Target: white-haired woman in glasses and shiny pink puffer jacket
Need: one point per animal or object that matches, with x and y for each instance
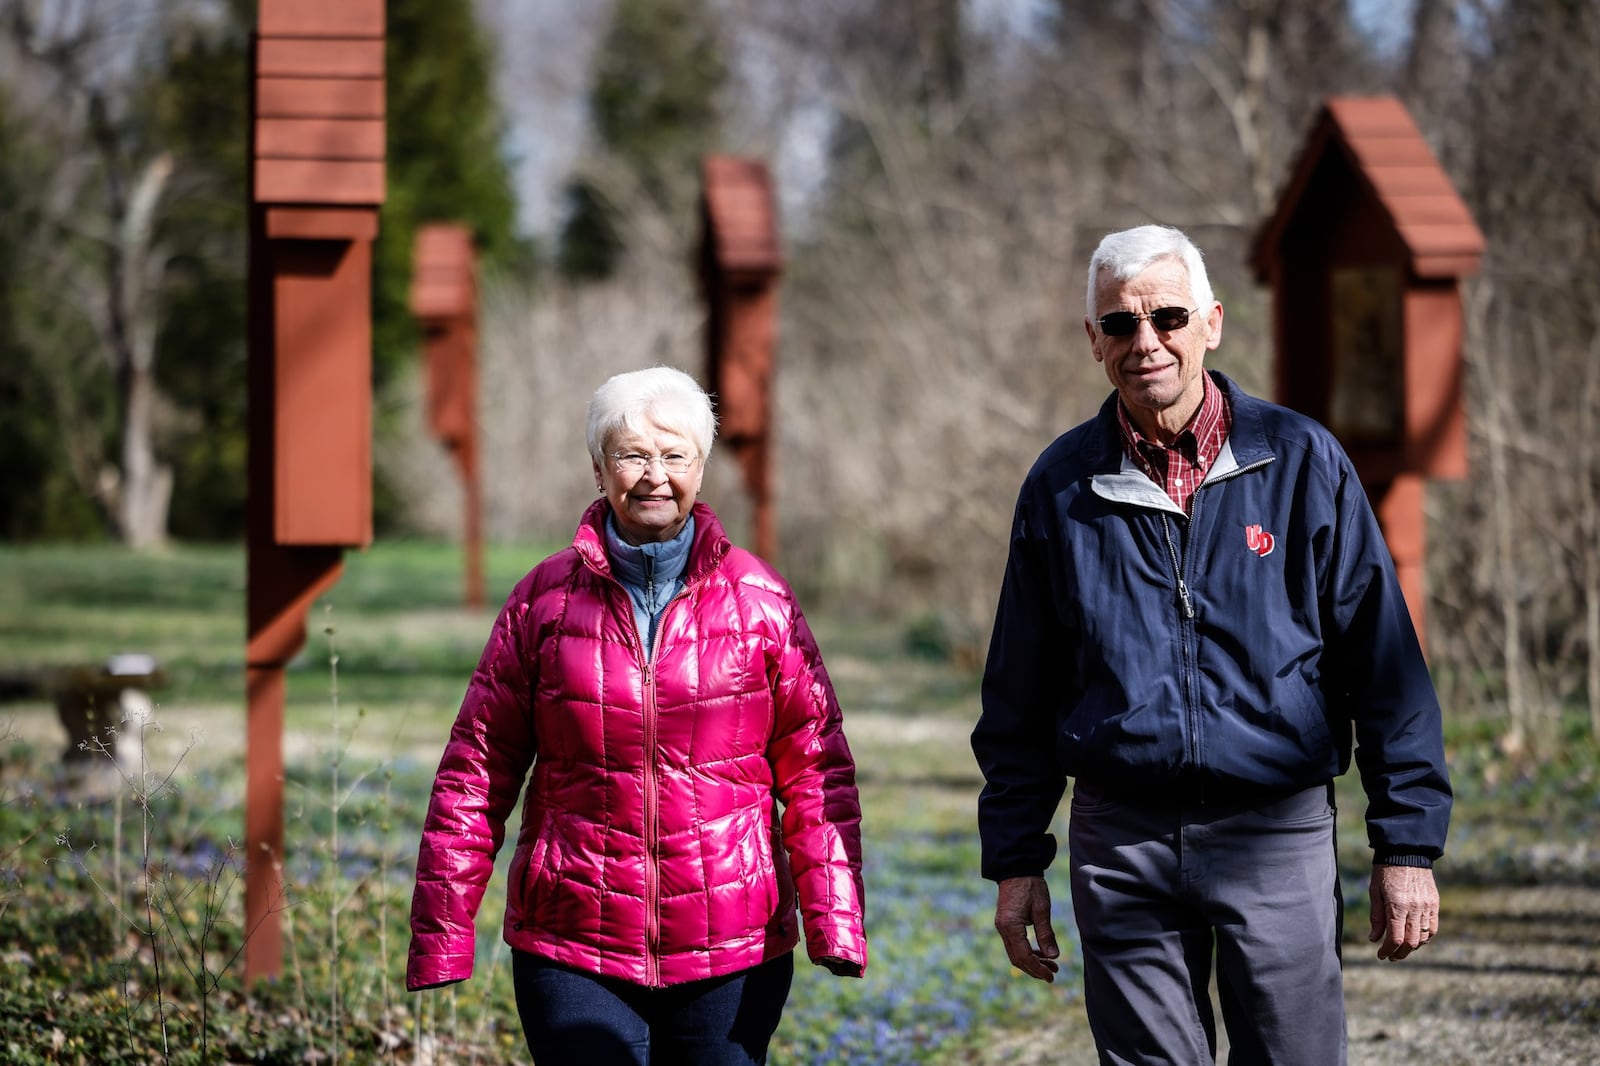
(670, 695)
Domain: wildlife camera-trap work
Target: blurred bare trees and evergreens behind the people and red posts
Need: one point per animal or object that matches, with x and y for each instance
(945, 169)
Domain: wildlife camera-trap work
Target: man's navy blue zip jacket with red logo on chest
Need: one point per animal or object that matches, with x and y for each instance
(1228, 655)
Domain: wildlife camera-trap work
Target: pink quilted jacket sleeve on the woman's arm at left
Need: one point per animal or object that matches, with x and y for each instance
(481, 775)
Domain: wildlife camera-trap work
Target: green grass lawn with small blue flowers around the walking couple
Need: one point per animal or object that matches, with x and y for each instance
(76, 952)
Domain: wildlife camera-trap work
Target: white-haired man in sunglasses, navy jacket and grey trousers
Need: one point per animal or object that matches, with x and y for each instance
(1198, 617)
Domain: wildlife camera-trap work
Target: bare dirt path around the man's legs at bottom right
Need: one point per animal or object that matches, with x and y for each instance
(1514, 979)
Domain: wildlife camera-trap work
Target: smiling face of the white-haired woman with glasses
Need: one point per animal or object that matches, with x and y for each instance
(652, 503)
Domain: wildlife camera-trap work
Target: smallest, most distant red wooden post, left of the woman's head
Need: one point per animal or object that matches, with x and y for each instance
(444, 299)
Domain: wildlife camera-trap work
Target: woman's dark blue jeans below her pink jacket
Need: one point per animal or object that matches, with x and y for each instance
(572, 1017)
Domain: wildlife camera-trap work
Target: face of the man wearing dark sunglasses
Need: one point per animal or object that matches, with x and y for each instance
(1156, 374)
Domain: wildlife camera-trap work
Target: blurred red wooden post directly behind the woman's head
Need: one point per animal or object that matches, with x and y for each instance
(740, 268)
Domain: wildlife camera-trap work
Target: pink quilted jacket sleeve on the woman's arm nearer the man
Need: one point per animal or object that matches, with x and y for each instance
(815, 779)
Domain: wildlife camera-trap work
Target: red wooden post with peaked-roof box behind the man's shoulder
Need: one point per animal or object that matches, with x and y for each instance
(1366, 257)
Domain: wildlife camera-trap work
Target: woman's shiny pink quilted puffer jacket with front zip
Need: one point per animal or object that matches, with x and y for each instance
(649, 849)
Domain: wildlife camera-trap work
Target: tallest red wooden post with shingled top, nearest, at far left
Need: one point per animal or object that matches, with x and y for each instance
(318, 178)
